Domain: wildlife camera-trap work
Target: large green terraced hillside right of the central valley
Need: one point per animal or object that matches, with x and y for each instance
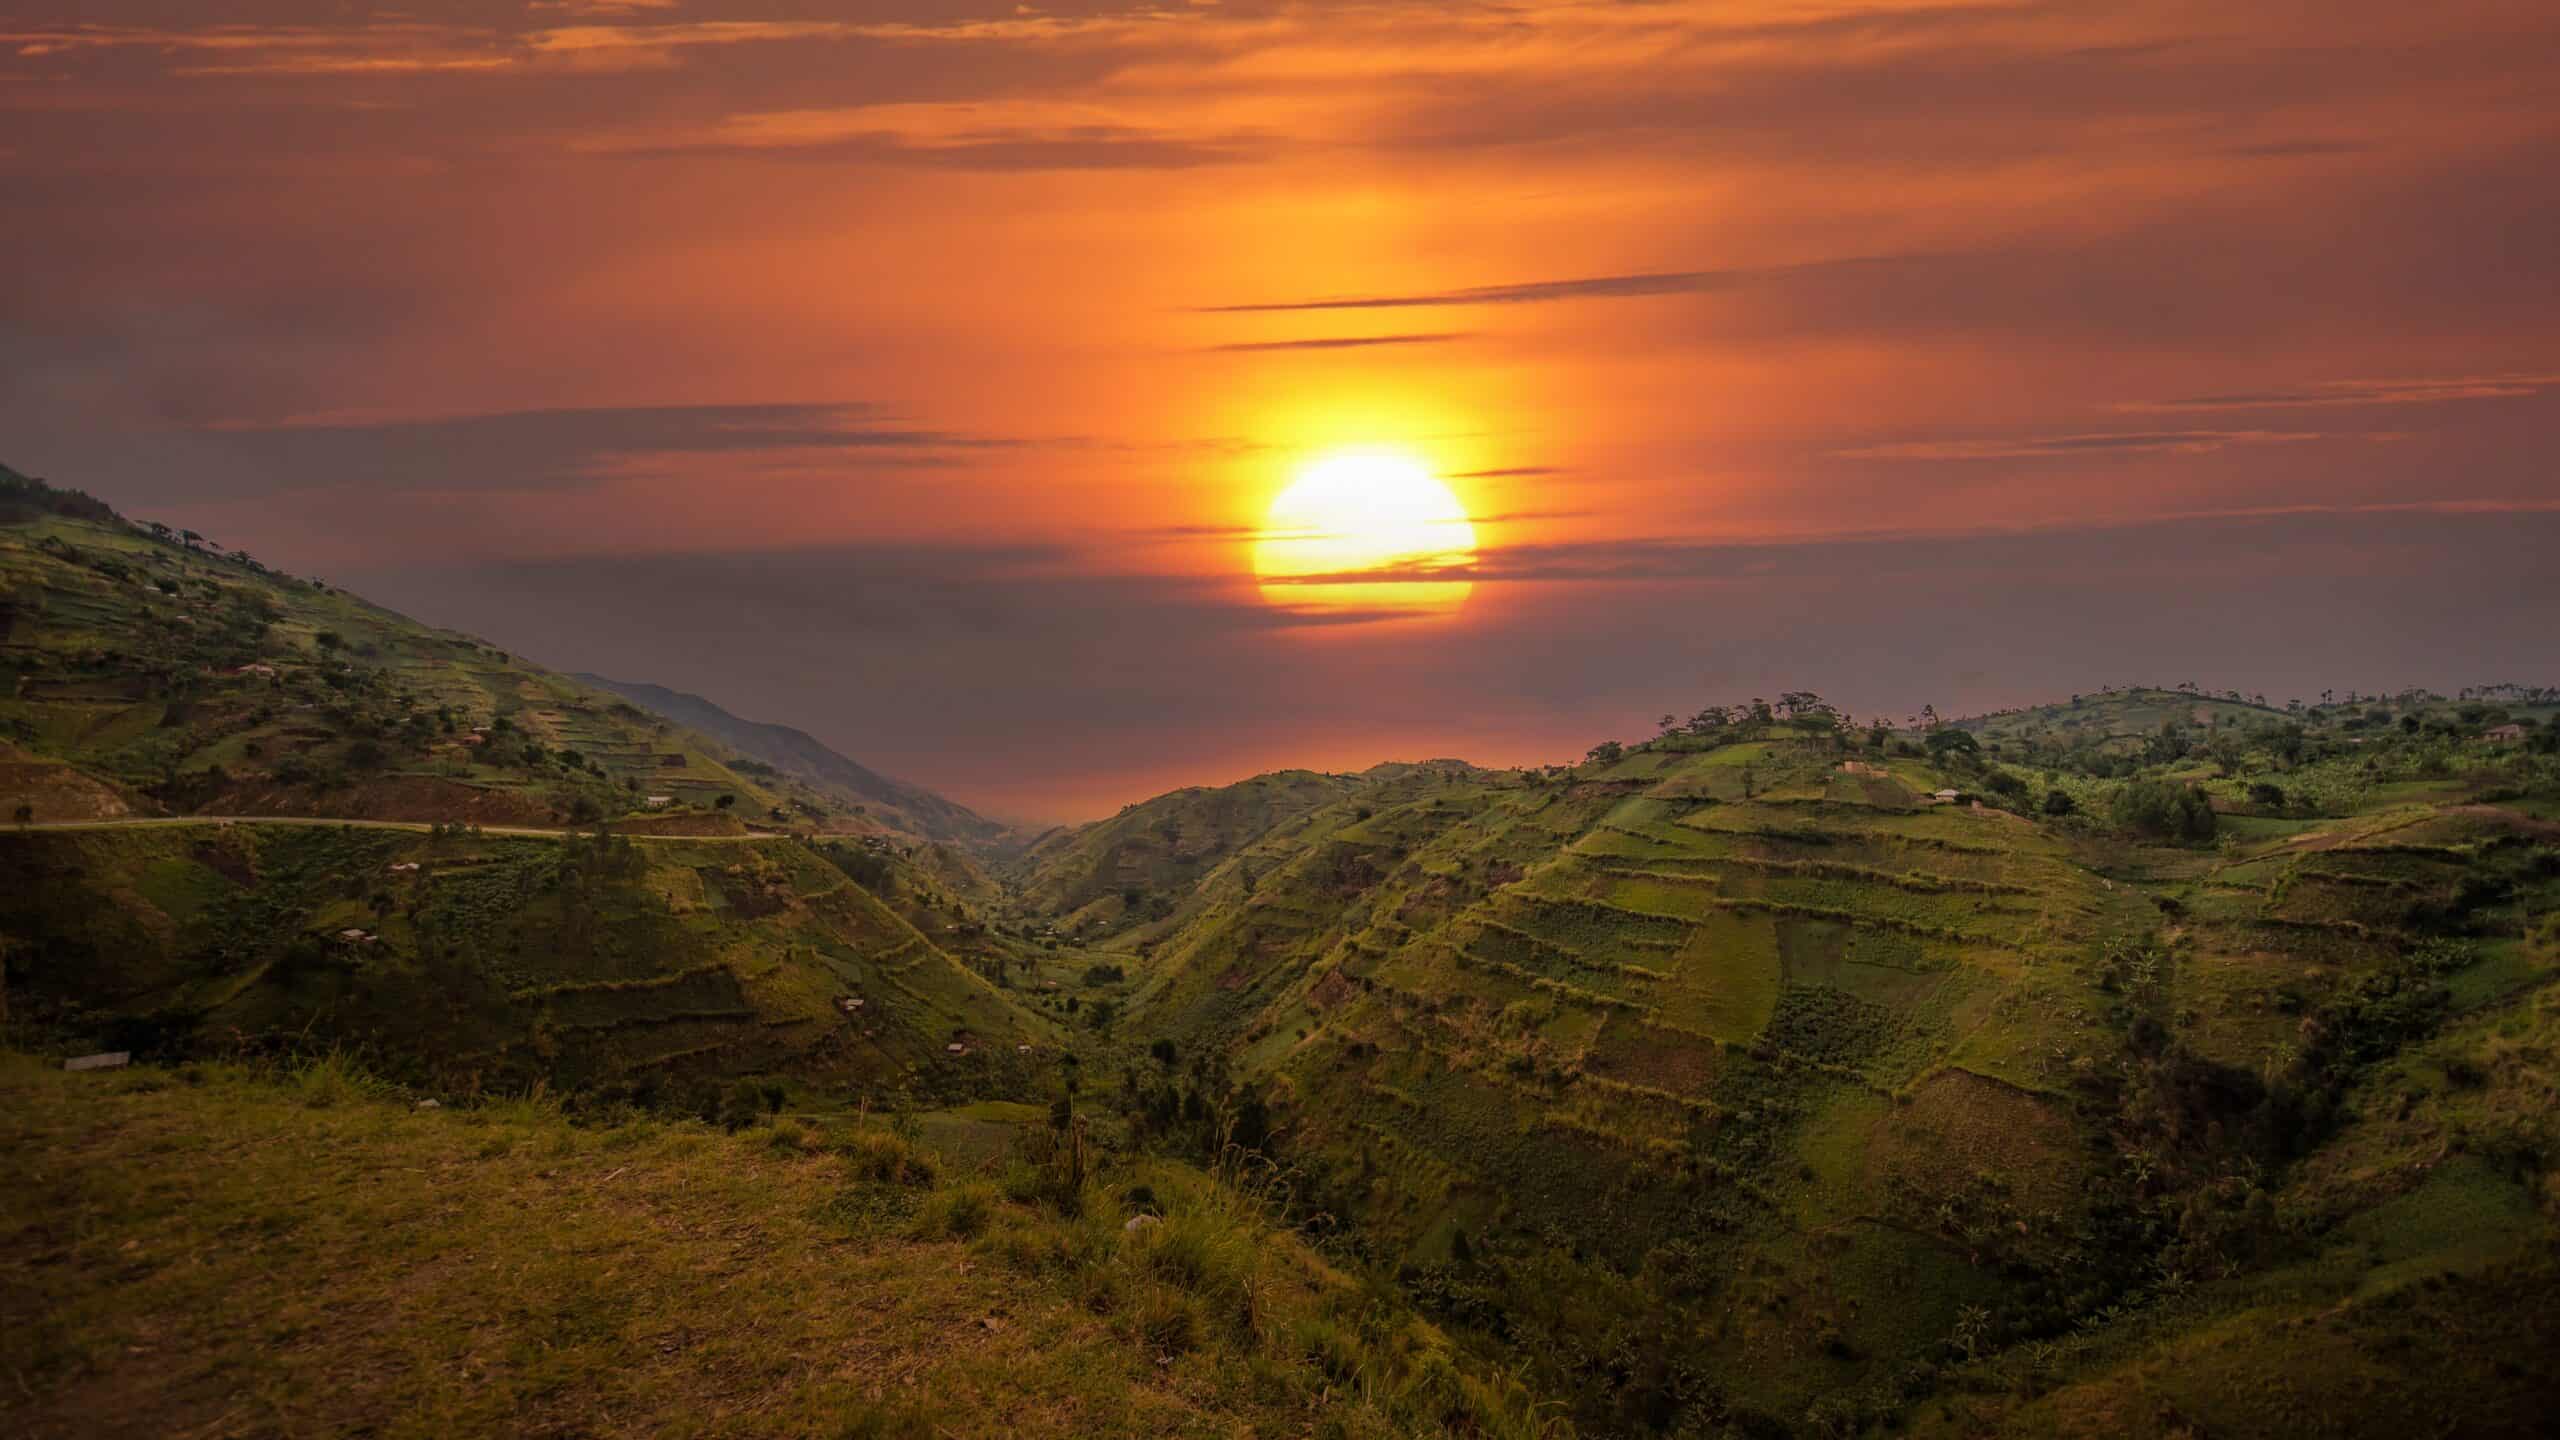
(1745, 1083)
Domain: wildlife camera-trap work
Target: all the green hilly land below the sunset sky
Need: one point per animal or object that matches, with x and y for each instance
(2154, 1062)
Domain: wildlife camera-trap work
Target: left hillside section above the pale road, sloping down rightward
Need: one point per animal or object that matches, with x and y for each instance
(152, 673)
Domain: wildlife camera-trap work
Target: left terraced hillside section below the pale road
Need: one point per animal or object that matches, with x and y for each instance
(639, 967)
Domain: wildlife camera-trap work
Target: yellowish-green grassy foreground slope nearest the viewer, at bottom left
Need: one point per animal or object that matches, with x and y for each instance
(219, 1254)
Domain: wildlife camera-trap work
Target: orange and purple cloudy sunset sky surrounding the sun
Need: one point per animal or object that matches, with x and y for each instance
(943, 355)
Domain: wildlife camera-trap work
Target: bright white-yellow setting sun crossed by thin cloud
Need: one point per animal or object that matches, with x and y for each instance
(1363, 514)
